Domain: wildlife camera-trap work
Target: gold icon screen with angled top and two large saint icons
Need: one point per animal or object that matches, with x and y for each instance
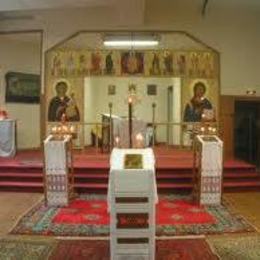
(84, 58)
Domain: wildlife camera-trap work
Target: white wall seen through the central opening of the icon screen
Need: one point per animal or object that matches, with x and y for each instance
(97, 100)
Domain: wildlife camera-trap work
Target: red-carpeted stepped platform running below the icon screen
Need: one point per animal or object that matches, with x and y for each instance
(174, 169)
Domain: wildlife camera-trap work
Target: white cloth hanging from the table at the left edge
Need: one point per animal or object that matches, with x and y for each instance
(7, 138)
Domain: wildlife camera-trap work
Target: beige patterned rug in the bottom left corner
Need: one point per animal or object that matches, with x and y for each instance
(12, 249)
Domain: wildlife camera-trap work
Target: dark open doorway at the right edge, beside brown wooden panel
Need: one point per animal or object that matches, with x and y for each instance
(247, 131)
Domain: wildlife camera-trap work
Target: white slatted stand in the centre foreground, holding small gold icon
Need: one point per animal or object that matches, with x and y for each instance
(132, 196)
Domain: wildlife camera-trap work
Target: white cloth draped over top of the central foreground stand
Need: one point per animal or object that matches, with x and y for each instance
(117, 167)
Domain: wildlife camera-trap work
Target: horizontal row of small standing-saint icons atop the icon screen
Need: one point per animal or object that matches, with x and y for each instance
(201, 64)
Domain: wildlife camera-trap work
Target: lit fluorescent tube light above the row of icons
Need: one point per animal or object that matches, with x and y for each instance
(118, 41)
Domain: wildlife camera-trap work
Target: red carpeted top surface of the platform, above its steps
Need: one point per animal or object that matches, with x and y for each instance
(166, 157)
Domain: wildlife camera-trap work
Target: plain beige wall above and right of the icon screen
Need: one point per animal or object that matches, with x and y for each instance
(230, 28)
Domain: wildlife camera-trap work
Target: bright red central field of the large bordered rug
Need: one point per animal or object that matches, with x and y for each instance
(168, 213)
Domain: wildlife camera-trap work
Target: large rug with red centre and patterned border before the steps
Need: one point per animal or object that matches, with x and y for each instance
(87, 216)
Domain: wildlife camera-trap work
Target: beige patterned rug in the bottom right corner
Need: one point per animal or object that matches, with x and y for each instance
(236, 247)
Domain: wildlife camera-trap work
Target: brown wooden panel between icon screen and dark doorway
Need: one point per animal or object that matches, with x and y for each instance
(227, 108)
